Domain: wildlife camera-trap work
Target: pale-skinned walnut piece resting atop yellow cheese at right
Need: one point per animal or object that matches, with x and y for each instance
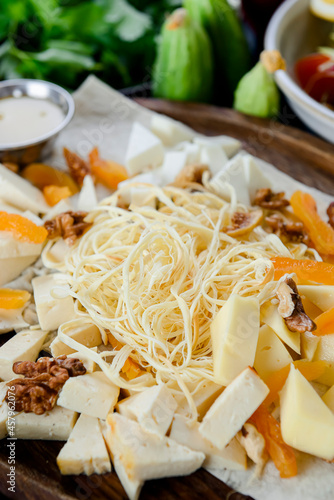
(291, 308)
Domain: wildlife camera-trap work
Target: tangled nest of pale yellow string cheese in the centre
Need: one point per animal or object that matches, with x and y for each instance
(156, 277)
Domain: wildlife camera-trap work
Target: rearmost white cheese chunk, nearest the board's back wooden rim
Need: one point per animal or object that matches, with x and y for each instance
(169, 131)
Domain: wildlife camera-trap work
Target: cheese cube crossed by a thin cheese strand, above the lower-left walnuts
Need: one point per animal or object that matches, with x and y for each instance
(87, 334)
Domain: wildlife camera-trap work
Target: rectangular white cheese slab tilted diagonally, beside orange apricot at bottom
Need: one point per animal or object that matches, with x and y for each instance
(233, 408)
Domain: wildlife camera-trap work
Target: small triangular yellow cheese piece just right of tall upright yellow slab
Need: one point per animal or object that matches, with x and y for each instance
(271, 354)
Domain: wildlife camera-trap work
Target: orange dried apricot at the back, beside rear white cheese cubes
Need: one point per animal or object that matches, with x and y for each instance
(109, 173)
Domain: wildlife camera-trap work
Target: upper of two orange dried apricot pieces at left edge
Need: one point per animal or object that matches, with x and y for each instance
(22, 229)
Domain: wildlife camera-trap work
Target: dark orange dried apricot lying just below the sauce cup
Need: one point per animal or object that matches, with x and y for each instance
(41, 175)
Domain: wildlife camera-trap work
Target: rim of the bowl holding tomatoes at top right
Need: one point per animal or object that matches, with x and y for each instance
(283, 79)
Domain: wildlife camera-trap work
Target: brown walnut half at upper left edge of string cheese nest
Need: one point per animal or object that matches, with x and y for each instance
(68, 225)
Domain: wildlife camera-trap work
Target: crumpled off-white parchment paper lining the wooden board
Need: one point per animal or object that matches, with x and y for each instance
(104, 118)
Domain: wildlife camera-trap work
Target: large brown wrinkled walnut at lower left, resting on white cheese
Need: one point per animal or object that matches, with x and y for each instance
(37, 392)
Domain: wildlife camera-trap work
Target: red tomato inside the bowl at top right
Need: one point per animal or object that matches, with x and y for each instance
(315, 74)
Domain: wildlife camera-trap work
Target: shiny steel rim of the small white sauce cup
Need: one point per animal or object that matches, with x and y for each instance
(53, 132)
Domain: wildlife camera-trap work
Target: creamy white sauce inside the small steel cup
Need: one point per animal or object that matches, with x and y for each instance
(25, 118)
